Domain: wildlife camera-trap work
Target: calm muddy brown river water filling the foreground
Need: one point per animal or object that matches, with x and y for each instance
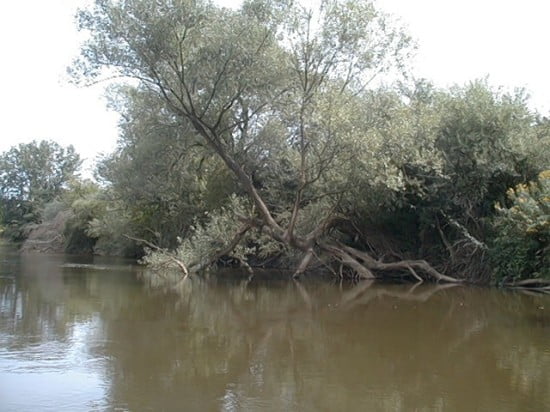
(86, 334)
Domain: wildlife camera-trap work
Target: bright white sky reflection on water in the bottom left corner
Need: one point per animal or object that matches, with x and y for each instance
(54, 375)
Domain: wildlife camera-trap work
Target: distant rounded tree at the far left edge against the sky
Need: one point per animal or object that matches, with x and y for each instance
(31, 175)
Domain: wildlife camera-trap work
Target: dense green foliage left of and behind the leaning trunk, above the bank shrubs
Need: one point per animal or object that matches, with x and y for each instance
(159, 179)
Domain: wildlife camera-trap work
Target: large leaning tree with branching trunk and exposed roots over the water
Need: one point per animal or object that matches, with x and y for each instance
(271, 88)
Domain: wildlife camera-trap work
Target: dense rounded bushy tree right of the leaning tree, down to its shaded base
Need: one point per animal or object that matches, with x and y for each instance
(467, 145)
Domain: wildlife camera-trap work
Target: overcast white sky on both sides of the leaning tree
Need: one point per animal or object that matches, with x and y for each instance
(459, 40)
